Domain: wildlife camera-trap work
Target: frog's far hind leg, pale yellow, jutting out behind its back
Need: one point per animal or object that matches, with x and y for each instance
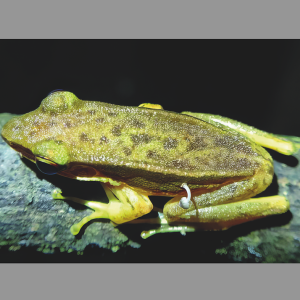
(260, 137)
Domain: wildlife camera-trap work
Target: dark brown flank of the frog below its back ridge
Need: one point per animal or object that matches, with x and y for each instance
(157, 182)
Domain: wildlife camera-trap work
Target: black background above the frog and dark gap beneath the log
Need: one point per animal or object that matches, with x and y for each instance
(254, 81)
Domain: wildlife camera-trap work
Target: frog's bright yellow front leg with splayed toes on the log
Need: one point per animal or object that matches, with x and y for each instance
(124, 205)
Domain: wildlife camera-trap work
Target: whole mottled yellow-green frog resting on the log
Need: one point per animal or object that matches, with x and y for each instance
(211, 166)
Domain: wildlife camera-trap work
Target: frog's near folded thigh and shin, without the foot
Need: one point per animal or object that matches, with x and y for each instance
(230, 205)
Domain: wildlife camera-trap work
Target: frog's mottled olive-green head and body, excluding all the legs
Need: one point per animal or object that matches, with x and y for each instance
(153, 150)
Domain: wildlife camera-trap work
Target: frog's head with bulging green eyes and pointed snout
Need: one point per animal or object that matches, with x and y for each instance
(35, 136)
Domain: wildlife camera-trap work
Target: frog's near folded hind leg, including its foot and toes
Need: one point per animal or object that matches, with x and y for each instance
(213, 211)
